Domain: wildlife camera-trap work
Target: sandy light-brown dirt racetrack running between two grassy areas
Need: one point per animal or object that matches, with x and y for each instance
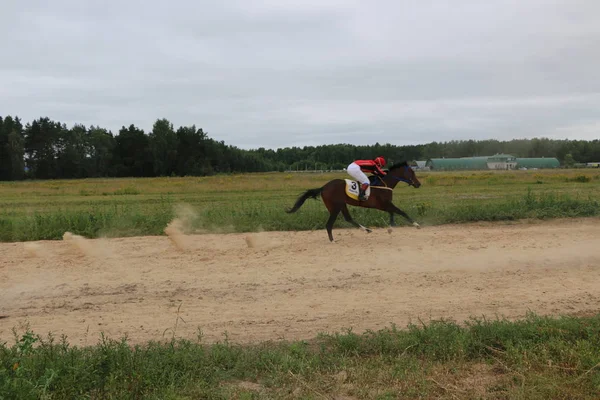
(286, 285)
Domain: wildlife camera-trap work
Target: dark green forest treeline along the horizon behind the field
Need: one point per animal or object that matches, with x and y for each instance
(46, 149)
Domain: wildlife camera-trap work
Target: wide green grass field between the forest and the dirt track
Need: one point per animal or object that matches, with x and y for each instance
(241, 203)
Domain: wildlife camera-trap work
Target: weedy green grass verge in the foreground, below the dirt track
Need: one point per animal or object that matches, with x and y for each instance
(535, 358)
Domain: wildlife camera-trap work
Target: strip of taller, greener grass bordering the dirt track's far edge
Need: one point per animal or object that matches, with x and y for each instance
(120, 220)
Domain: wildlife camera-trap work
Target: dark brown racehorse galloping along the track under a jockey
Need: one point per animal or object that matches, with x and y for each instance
(333, 194)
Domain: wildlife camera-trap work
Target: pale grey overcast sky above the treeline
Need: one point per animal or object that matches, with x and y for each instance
(279, 73)
